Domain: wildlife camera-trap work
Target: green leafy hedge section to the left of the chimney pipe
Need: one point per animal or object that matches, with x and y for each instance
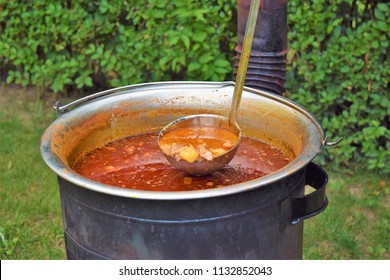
(62, 44)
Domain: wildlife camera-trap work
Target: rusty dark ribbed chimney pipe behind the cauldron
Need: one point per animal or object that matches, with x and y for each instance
(267, 62)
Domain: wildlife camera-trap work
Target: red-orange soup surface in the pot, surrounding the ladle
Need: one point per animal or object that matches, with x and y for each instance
(137, 162)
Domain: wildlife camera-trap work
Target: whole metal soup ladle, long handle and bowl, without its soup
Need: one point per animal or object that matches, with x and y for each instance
(203, 167)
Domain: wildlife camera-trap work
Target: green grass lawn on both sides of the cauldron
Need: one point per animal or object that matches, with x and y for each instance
(356, 224)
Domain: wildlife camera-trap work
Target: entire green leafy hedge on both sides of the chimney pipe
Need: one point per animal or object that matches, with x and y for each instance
(338, 57)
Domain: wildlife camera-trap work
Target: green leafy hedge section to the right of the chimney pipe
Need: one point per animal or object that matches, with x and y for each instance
(339, 69)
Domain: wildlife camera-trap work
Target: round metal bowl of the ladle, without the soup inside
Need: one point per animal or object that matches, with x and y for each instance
(202, 167)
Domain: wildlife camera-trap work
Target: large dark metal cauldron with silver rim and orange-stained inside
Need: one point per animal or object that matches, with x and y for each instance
(259, 219)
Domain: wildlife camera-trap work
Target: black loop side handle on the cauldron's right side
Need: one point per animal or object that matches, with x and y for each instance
(296, 209)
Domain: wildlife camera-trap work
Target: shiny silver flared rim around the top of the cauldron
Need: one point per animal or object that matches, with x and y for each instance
(299, 163)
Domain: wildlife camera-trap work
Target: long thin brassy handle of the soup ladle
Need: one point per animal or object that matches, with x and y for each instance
(244, 59)
